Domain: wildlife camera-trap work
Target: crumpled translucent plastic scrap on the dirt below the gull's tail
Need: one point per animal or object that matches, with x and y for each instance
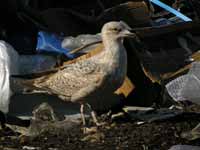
(45, 120)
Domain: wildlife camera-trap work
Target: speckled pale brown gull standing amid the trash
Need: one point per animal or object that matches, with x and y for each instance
(91, 81)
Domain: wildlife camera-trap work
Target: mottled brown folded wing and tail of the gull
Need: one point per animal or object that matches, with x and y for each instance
(69, 80)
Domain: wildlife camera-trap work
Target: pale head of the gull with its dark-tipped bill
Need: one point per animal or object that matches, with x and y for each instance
(116, 30)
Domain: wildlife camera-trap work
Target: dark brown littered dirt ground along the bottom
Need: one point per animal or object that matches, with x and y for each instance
(118, 135)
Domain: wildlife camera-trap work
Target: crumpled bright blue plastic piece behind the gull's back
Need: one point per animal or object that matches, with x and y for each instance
(49, 42)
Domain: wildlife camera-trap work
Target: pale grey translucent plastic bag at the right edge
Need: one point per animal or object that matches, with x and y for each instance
(186, 87)
